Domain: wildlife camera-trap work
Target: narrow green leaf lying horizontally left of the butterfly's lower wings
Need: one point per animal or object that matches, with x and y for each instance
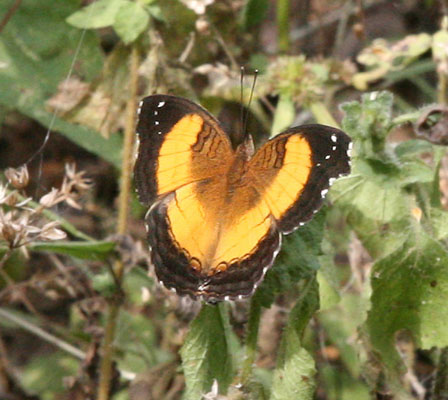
(84, 250)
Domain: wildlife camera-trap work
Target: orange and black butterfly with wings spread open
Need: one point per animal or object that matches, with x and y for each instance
(217, 213)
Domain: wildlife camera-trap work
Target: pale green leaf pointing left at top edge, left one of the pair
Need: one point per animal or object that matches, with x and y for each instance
(99, 14)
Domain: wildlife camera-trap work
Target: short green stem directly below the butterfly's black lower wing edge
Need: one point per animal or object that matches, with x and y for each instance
(251, 341)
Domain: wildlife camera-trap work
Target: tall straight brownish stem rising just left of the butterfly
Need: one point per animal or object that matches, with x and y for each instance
(123, 210)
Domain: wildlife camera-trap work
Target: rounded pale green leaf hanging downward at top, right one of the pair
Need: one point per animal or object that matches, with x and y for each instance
(131, 20)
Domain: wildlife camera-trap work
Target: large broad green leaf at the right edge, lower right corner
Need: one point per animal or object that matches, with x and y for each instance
(410, 294)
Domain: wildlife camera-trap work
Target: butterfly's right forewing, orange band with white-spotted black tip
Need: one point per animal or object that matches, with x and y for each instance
(295, 169)
